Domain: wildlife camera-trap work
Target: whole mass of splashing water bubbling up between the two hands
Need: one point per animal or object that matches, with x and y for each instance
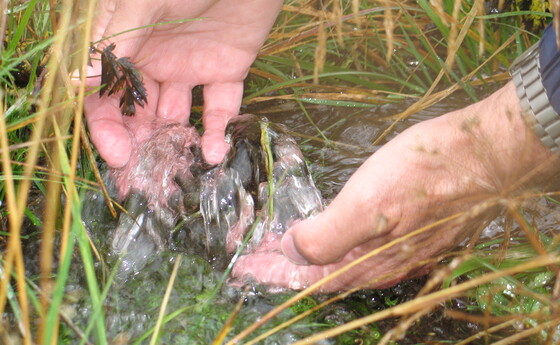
(175, 200)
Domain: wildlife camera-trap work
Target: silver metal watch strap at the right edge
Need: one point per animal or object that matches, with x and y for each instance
(534, 101)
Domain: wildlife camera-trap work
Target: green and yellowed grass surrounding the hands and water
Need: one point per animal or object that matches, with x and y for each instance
(56, 287)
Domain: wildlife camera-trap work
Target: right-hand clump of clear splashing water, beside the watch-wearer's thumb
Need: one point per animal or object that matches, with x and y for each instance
(235, 198)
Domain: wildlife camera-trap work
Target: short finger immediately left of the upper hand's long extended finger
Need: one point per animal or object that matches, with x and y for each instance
(174, 102)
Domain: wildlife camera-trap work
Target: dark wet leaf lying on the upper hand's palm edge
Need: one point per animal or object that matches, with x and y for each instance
(120, 74)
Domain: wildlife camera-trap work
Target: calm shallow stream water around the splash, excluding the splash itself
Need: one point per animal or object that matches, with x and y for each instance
(201, 300)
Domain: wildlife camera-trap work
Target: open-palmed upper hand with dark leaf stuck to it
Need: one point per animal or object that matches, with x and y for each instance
(215, 51)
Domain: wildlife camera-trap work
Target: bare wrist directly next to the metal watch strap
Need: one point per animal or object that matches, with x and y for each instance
(502, 141)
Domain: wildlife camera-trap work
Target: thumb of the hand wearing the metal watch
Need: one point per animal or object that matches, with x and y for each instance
(328, 237)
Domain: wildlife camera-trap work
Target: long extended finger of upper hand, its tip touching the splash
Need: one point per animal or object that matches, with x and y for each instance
(221, 102)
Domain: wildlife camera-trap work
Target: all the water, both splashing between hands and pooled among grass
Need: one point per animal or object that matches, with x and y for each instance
(231, 197)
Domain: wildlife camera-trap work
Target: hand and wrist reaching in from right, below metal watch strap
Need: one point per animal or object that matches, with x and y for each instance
(433, 170)
